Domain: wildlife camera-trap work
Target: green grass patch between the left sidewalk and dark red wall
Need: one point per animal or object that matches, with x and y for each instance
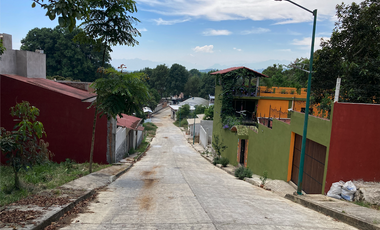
(46, 176)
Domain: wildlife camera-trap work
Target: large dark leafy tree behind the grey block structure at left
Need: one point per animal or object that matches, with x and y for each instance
(65, 57)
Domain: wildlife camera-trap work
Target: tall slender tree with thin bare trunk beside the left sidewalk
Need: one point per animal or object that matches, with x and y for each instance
(109, 24)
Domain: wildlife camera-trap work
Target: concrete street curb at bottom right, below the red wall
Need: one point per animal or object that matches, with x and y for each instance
(343, 217)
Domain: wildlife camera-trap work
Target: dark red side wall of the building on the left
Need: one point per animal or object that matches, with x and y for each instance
(67, 121)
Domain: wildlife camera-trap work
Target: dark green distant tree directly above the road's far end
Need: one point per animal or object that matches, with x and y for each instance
(159, 79)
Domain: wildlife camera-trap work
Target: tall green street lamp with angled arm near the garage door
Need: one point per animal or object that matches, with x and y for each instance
(300, 173)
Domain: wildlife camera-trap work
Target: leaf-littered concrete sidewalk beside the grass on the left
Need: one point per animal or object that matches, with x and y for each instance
(71, 193)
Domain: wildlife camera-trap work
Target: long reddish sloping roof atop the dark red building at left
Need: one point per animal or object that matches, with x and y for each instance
(53, 86)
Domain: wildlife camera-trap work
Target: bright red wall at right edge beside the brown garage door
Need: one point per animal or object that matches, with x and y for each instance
(355, 143)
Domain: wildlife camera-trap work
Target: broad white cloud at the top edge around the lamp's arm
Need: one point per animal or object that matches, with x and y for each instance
(218, 10)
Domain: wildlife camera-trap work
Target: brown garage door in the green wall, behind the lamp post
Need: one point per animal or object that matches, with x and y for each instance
(314, 165)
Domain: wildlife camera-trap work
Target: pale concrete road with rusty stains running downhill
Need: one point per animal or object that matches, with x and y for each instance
(173, 187)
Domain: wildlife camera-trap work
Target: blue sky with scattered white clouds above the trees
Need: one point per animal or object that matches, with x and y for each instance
(202, 34)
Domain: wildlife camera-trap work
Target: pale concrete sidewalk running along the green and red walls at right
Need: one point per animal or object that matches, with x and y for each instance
(344, 211)
